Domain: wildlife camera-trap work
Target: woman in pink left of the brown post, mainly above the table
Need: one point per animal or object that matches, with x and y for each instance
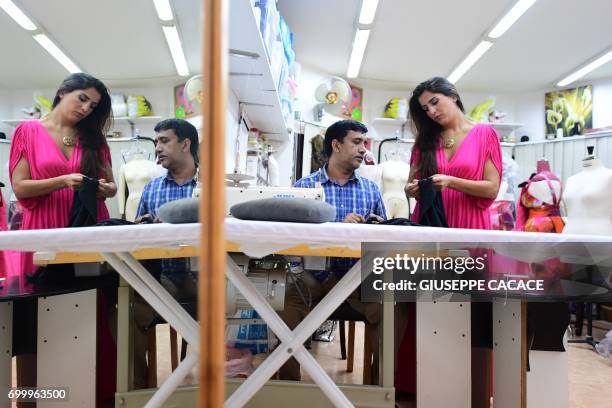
(49, 158)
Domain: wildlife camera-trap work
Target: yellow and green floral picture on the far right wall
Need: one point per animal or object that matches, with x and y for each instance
(570, 110)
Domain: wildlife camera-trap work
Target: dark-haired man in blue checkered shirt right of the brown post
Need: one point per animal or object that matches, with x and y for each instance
(357, 200)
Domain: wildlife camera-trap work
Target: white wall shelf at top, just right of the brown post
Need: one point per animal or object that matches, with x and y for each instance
(251, 79)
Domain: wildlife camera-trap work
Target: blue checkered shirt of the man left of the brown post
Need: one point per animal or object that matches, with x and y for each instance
(156, 193)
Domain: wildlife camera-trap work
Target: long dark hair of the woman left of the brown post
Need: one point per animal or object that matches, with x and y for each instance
(92, 129)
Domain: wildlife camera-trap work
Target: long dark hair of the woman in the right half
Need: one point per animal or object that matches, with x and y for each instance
(427, 131)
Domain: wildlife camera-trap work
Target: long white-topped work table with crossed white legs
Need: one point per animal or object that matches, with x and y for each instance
(262, 238)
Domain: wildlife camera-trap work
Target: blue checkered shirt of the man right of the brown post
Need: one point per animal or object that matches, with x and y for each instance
(359, 195)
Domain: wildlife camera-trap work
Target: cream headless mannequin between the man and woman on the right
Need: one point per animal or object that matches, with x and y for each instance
(394, 178)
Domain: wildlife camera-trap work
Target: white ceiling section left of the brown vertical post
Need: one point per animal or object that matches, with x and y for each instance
(118, 41)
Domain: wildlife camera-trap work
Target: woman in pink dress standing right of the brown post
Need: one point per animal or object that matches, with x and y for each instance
(464, 162)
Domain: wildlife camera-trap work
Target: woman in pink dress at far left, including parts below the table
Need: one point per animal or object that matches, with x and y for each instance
(48, 162)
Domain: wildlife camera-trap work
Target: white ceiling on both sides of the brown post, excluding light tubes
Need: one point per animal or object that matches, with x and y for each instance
(122, 42)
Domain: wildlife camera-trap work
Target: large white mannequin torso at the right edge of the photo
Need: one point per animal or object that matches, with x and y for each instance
(587, 198)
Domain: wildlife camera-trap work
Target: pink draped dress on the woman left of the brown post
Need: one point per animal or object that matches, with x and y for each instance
(46, 160)
